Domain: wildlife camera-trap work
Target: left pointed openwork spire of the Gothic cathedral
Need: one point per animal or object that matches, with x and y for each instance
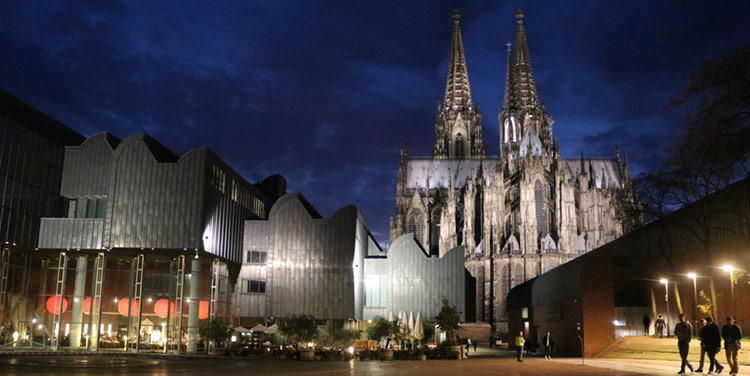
(457, 90)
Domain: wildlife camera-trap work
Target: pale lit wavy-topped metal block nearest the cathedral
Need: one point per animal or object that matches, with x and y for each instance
(413, 281)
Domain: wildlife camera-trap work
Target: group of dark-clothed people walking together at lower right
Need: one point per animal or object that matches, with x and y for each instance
(710, 338)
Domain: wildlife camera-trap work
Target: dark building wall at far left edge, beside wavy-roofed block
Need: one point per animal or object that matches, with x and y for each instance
(31, 160)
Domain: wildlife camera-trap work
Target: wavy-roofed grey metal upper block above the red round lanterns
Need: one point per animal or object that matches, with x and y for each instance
(137, 194)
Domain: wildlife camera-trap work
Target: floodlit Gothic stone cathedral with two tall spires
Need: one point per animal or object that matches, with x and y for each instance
(518, 214)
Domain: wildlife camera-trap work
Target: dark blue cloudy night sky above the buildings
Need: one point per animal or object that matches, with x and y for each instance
(326, 93)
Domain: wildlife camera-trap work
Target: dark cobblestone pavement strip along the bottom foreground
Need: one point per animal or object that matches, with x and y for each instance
(101, 365)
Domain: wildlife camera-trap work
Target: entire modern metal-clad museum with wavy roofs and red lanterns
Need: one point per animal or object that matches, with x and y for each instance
(123, 244)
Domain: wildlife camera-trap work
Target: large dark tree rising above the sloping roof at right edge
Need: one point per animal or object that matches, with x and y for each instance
(710, 150)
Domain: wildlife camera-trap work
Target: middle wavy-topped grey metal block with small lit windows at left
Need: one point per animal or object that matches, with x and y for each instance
(313, 265)
